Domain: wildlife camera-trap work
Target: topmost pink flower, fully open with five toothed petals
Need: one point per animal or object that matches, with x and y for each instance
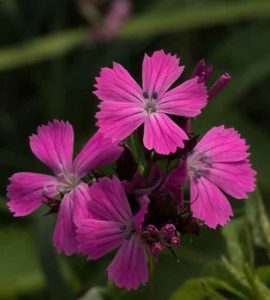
(125, 105)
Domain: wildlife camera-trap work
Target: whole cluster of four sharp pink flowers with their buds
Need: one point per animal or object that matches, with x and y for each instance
(167, 182)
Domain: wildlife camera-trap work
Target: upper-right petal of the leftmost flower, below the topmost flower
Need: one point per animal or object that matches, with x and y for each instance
(98, 152)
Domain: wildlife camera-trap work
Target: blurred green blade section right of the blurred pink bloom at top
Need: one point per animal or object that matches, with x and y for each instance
(195, 17)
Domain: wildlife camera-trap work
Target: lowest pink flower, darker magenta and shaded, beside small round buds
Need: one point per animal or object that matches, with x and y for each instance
(113, 225)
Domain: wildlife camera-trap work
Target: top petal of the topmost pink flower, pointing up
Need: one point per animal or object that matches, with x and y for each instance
(160, 71)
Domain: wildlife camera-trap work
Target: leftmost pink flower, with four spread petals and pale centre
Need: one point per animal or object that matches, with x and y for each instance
(53, 145)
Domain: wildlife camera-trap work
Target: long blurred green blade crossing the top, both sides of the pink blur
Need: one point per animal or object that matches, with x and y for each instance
(151, 24)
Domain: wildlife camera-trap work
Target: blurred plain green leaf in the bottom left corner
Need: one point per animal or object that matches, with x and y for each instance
(20, 269)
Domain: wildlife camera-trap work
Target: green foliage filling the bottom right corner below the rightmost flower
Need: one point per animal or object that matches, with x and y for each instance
(246, 280)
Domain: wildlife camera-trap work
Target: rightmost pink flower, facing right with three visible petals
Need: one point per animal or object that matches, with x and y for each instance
(219, 162)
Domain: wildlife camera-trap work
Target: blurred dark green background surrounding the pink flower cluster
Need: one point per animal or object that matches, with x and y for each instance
(50, 53)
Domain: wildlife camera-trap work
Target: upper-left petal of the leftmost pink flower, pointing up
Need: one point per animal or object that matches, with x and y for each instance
(53, 145)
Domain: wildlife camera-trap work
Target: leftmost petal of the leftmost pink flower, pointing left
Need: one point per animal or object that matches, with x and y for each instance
(27, 191)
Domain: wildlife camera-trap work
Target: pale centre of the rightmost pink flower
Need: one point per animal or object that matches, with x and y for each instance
(198, 164)
